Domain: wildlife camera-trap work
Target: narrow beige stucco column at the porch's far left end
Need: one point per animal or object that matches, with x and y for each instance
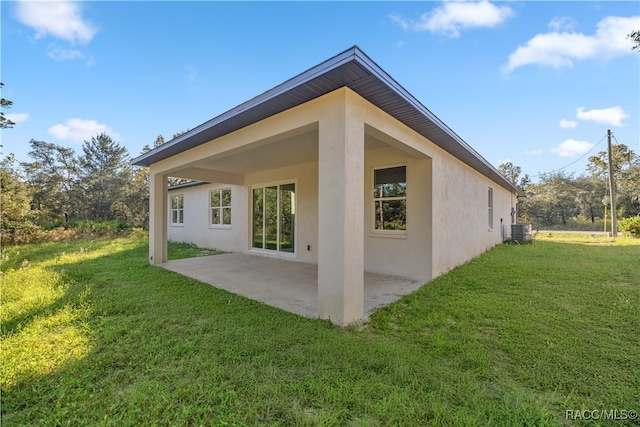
(158, 207)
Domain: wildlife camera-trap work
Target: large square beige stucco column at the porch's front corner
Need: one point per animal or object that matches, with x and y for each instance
(341, 217)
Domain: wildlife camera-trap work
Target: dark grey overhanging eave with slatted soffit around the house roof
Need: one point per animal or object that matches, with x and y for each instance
(353, 69)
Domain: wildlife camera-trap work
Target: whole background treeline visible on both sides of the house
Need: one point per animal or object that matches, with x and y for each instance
(98, 189)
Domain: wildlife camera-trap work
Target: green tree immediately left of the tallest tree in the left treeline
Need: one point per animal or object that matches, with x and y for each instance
(53, 179)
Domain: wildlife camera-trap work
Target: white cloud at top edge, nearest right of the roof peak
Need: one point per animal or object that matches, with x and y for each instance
(454, 16)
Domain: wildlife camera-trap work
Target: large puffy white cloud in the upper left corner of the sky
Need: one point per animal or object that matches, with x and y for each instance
(60, 19)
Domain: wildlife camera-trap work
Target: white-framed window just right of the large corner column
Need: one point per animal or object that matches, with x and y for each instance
(390, 198)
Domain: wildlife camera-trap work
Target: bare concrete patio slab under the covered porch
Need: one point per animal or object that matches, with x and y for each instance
(288, 285)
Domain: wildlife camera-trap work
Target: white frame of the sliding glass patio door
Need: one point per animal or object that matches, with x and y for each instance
(277, 251)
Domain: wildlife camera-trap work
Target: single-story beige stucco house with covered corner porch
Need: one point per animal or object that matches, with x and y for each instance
(339, 166)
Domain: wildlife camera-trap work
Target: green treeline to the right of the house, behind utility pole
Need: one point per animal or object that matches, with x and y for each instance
(564, 201)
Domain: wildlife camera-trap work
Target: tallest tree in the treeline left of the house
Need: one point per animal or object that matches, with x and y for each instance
(104, 176)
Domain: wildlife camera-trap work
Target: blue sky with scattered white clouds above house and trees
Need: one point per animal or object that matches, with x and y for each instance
(534, 83)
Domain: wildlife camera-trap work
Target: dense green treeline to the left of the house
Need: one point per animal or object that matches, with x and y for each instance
(58, 187)
